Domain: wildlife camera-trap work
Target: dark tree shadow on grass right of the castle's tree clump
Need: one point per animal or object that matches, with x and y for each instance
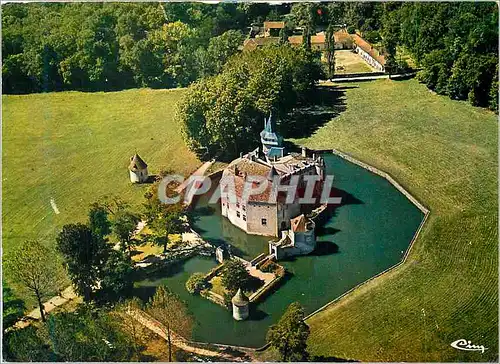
(326, 103)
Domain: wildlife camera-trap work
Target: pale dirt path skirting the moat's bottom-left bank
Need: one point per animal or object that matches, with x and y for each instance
(150, 323)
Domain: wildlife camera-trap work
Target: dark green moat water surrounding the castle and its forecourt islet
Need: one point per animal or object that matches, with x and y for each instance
(367, 234)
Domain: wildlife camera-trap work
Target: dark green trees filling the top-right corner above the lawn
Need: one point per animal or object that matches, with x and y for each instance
(457, 45)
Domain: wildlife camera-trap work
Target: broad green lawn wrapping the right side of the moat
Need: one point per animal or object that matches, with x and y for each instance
(445, 153)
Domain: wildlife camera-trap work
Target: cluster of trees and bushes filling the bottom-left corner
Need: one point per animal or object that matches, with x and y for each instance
(101, 329)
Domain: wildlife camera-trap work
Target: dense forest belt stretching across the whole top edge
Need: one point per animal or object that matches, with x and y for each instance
(52, 47)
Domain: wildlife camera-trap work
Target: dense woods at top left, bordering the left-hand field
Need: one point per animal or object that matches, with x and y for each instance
(51, 47)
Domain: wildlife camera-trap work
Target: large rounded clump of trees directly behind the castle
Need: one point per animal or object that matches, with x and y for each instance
(226, 111)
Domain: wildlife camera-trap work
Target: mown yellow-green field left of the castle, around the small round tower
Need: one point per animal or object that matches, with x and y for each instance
(74, 147)
